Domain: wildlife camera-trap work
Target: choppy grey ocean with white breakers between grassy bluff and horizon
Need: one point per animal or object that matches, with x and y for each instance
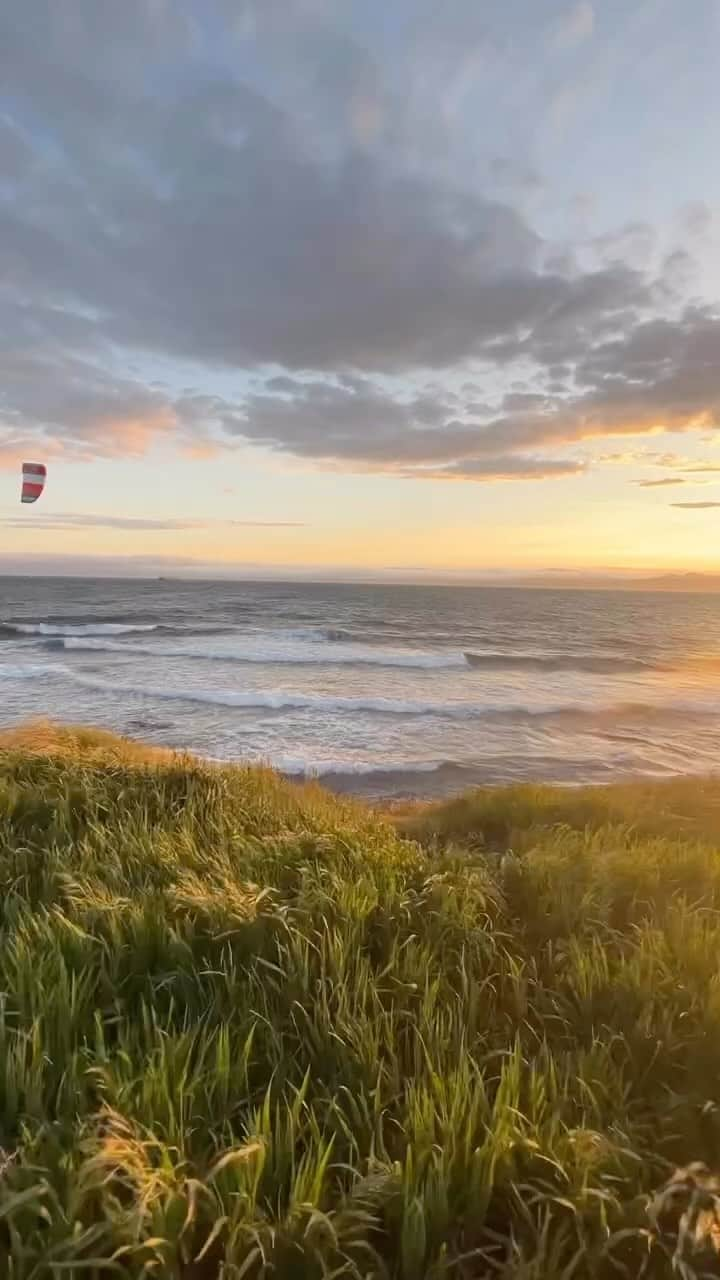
(386, 691)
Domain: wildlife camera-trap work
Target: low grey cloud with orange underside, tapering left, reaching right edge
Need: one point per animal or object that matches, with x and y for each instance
(663, 377)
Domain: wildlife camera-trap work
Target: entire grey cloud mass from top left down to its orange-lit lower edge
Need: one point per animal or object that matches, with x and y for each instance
(163, 198)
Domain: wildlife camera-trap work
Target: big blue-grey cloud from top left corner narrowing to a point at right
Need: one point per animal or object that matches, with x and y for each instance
(288, 257)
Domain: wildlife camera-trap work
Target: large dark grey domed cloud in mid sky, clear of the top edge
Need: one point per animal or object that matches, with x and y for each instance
(288, 262)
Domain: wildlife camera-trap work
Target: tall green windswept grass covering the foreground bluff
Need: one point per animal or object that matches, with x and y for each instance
(252, 1031)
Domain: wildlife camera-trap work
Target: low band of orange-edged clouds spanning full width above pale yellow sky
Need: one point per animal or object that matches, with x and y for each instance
(663, 376)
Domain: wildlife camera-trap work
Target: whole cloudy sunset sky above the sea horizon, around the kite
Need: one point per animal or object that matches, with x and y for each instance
(353, 287)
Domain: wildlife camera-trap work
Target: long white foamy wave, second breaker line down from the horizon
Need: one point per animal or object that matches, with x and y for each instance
(270, 657)
